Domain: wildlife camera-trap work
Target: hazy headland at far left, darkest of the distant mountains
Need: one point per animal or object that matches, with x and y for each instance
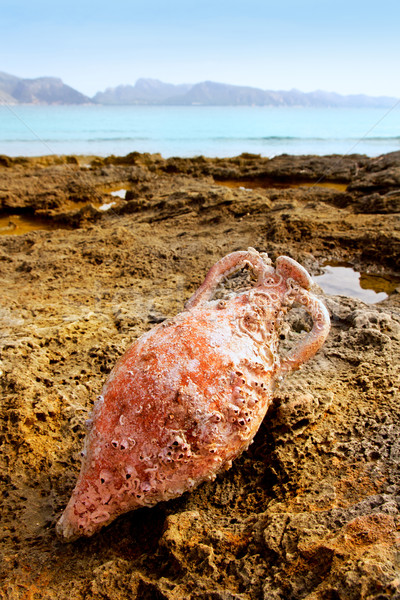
(42, 90)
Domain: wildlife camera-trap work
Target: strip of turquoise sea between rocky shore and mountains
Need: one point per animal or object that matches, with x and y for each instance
(193, 130)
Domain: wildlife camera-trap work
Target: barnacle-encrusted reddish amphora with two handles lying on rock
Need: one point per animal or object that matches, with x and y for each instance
(188, 396)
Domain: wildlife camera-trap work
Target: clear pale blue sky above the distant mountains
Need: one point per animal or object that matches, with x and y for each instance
(345, 46)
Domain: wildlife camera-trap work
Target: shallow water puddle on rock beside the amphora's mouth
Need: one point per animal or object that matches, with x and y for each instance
(343, 280)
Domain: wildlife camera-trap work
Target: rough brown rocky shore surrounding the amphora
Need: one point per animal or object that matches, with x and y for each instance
(312, 509)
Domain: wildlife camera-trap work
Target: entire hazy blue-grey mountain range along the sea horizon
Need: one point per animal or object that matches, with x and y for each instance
(52, 90)
